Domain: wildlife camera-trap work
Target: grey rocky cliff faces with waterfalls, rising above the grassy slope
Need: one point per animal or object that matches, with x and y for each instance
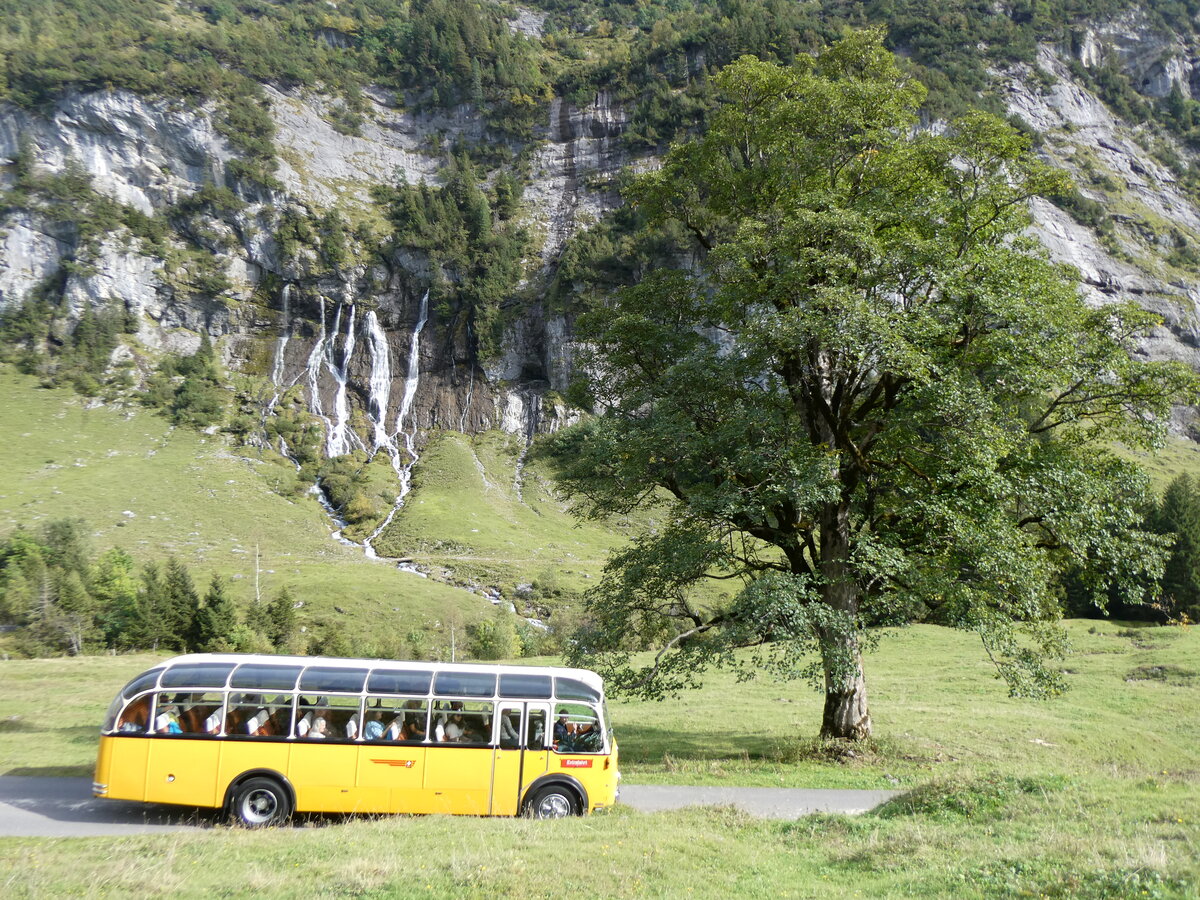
(343, 339)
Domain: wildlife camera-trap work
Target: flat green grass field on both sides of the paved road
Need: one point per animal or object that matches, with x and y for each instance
(1095, 795)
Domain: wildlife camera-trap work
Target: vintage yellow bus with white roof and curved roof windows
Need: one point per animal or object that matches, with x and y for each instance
(265, 736)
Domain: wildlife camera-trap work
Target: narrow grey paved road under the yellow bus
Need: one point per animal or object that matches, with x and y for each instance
(64, 807)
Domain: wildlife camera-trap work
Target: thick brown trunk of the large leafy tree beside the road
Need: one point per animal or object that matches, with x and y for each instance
(845, 710)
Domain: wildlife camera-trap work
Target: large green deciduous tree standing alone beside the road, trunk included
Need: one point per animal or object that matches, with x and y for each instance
(872, 399)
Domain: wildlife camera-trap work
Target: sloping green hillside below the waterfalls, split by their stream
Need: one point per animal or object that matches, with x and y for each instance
(157, 491)
